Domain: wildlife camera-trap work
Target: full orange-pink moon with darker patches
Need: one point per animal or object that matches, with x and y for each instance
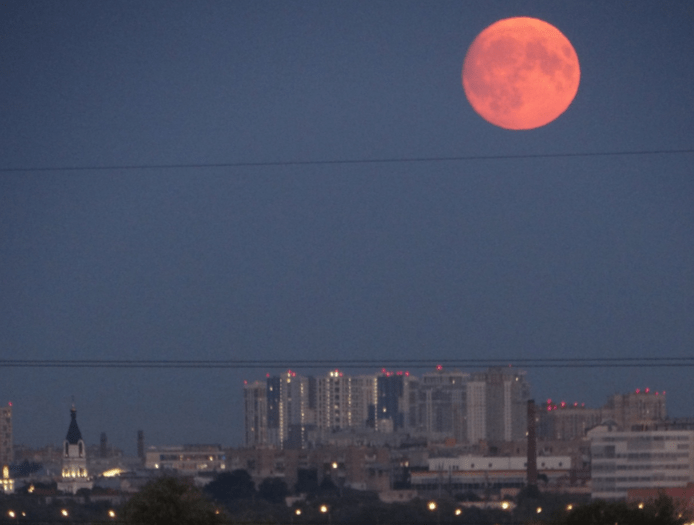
(521, 73)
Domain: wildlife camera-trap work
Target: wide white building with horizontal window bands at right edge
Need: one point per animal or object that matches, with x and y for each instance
(623, 460)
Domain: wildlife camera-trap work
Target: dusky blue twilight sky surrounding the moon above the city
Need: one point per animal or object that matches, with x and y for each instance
(559, 257)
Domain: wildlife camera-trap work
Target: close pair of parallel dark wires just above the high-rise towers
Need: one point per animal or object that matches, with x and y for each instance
(651, 362)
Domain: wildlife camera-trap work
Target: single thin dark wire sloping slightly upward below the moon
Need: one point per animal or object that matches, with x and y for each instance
(392, 160)
